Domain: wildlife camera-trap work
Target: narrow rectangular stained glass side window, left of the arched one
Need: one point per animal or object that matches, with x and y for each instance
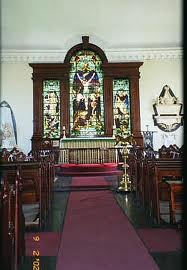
(51, 111)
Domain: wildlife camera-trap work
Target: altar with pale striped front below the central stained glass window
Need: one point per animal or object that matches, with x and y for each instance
(88, 150)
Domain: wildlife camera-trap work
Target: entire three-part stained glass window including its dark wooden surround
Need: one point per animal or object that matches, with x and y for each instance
(85, 95)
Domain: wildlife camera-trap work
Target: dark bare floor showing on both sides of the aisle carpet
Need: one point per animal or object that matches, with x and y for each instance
(136, 215)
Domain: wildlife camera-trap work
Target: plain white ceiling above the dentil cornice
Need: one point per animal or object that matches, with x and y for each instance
(59, 24)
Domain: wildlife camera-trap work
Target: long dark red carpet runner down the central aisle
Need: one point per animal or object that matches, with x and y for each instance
(98, 236)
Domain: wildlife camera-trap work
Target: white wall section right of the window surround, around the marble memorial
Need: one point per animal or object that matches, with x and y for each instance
(154, 75)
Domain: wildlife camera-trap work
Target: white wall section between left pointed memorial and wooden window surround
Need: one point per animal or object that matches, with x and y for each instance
(16, 89)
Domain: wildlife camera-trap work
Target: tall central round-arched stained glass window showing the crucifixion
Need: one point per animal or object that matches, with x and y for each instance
(86, 95)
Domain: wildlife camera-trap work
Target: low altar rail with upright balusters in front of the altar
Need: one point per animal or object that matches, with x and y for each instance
(88, 155)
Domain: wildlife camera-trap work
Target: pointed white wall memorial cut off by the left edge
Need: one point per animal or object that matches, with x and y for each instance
(8, 130)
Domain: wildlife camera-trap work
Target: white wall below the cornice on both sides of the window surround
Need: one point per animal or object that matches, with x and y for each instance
(17, 90)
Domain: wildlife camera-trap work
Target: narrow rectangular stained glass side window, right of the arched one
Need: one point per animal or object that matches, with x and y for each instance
(121, 107)
